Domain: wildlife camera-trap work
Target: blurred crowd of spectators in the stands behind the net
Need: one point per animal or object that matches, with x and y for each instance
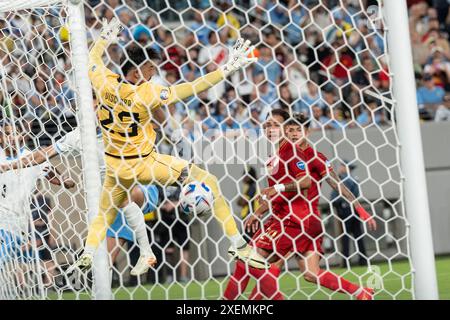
(314, 57)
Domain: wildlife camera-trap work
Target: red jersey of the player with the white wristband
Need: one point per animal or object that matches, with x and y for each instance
(286, 167)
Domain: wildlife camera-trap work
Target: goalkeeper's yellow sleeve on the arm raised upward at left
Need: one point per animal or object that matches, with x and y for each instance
(97, 69)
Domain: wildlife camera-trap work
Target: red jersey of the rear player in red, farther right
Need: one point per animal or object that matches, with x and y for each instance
(318, 167)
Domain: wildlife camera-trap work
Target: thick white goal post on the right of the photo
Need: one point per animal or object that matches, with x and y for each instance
(411, 152)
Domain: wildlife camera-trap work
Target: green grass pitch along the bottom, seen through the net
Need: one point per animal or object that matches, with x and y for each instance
(396, 284)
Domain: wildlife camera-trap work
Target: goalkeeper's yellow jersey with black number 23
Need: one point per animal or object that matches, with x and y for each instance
(124, 110)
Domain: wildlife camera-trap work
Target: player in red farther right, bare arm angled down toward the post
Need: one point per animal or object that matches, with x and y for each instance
(319, 169)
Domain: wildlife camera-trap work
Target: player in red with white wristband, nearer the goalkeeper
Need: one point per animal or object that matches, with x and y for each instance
(277, 237)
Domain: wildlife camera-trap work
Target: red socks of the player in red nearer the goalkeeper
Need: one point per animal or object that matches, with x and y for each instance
(266, 283)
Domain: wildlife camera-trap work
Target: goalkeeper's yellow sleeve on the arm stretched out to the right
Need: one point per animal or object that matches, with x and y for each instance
(154, 95)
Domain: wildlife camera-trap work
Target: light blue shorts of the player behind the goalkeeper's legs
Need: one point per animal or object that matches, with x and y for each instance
(120, 228)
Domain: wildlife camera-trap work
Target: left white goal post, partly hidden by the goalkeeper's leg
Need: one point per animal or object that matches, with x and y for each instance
(87, 123)
